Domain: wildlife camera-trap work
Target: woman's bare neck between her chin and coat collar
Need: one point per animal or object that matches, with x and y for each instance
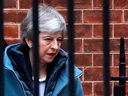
(42, 66)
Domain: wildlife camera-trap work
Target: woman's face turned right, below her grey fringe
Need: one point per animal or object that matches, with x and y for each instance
(49, 45)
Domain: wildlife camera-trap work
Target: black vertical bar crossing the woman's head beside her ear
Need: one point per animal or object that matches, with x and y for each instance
(36, 47)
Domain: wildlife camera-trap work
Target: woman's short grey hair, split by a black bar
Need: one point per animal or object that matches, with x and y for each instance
(50, 21)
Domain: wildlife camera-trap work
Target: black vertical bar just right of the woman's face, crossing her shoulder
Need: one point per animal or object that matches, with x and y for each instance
(71, 47)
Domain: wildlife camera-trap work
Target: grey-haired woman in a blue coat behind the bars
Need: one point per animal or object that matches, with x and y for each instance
(53, 61)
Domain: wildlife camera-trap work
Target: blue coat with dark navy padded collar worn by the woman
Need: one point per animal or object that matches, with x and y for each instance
(18, 74)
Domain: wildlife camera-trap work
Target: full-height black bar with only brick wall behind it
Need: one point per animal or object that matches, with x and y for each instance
(106, 47)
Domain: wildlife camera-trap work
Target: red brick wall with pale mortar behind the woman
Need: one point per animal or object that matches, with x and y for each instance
(88, 36)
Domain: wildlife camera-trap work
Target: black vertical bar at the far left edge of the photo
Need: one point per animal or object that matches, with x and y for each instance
(1, 50)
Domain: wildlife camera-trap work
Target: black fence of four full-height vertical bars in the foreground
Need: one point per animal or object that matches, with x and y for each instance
(70, 47)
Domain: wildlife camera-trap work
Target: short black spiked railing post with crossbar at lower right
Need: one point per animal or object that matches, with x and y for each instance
(119, 90)
